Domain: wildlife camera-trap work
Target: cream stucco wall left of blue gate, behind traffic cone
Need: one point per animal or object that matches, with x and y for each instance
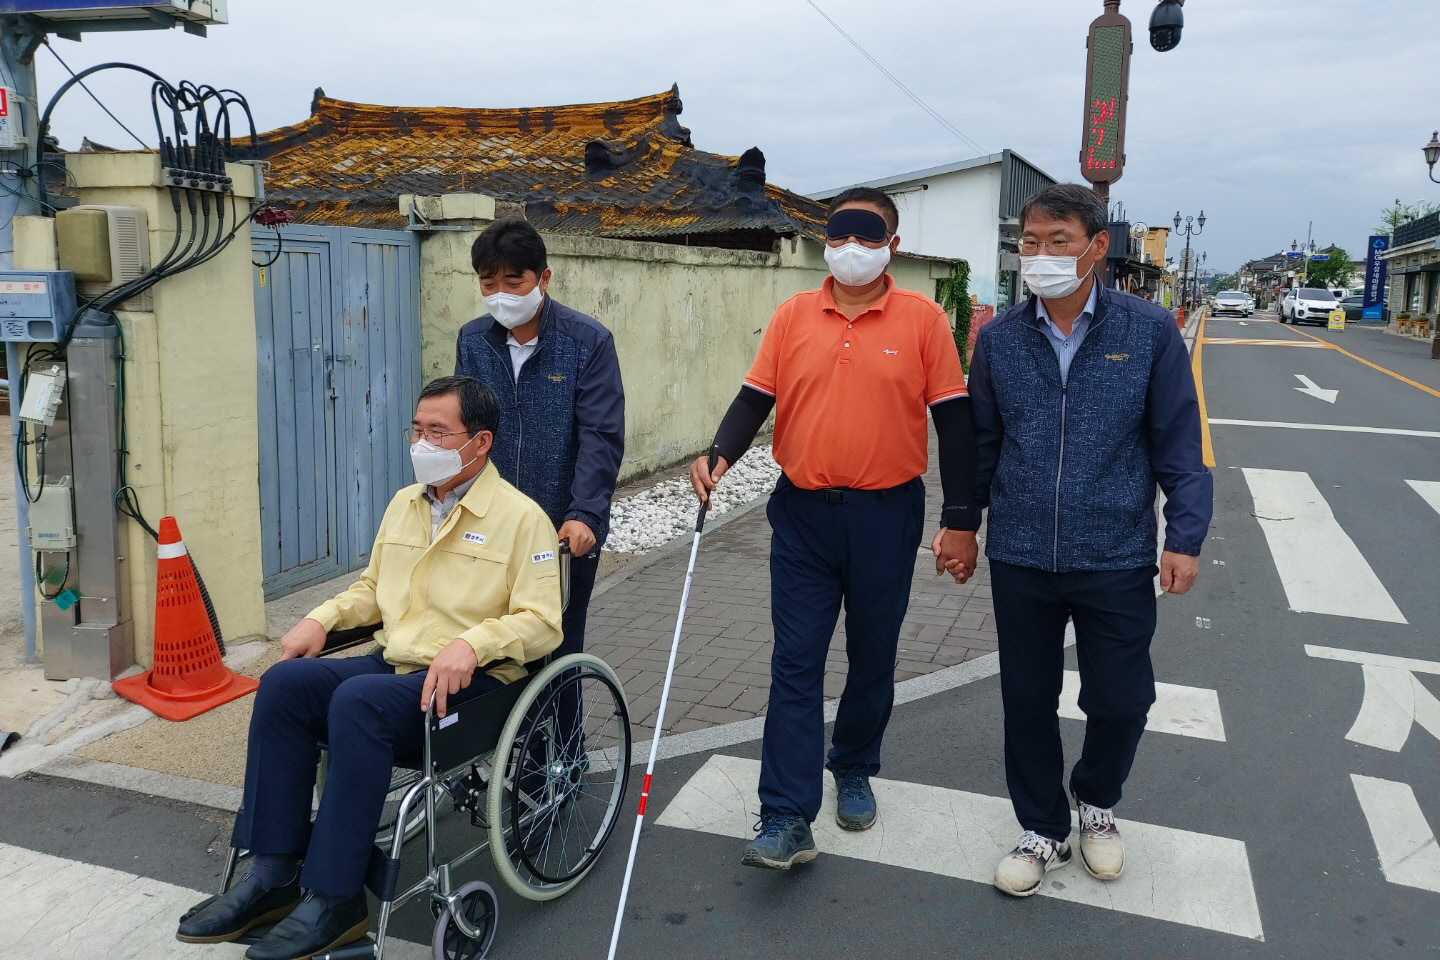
(191, 405)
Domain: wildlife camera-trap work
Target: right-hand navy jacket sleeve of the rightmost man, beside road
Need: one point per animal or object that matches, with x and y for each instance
(1173, 421)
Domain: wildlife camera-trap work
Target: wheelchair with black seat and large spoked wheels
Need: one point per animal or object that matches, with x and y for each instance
(541, 766)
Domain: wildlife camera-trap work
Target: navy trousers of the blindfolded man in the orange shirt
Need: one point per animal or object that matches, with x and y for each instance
(853, 551)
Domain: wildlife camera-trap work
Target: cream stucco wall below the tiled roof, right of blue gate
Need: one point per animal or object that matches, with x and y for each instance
(686, 320)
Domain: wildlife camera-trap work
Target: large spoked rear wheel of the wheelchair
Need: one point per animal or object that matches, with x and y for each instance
(561, 771)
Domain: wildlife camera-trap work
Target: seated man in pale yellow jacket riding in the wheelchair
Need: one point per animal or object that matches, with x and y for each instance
(466, 581)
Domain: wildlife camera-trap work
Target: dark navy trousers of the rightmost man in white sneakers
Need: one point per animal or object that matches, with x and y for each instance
(1114, 612)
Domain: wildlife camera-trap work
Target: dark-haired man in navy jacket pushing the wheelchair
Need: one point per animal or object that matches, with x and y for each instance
(562, 405)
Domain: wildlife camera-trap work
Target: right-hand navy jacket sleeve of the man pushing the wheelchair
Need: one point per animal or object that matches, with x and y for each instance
(600, 411)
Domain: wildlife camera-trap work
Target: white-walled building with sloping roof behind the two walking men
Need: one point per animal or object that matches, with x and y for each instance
(966, 211)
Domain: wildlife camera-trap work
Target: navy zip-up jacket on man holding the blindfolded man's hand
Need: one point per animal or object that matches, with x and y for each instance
(1069, 471)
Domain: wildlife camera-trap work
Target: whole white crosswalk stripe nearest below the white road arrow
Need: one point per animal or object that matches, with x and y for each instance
(1321, 568)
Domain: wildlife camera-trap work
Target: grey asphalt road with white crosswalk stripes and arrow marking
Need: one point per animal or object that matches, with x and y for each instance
(1268, 817)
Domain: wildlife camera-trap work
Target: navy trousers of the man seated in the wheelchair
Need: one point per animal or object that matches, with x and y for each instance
(372, 719)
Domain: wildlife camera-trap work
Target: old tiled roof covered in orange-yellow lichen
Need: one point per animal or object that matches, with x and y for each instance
(626, 169)
